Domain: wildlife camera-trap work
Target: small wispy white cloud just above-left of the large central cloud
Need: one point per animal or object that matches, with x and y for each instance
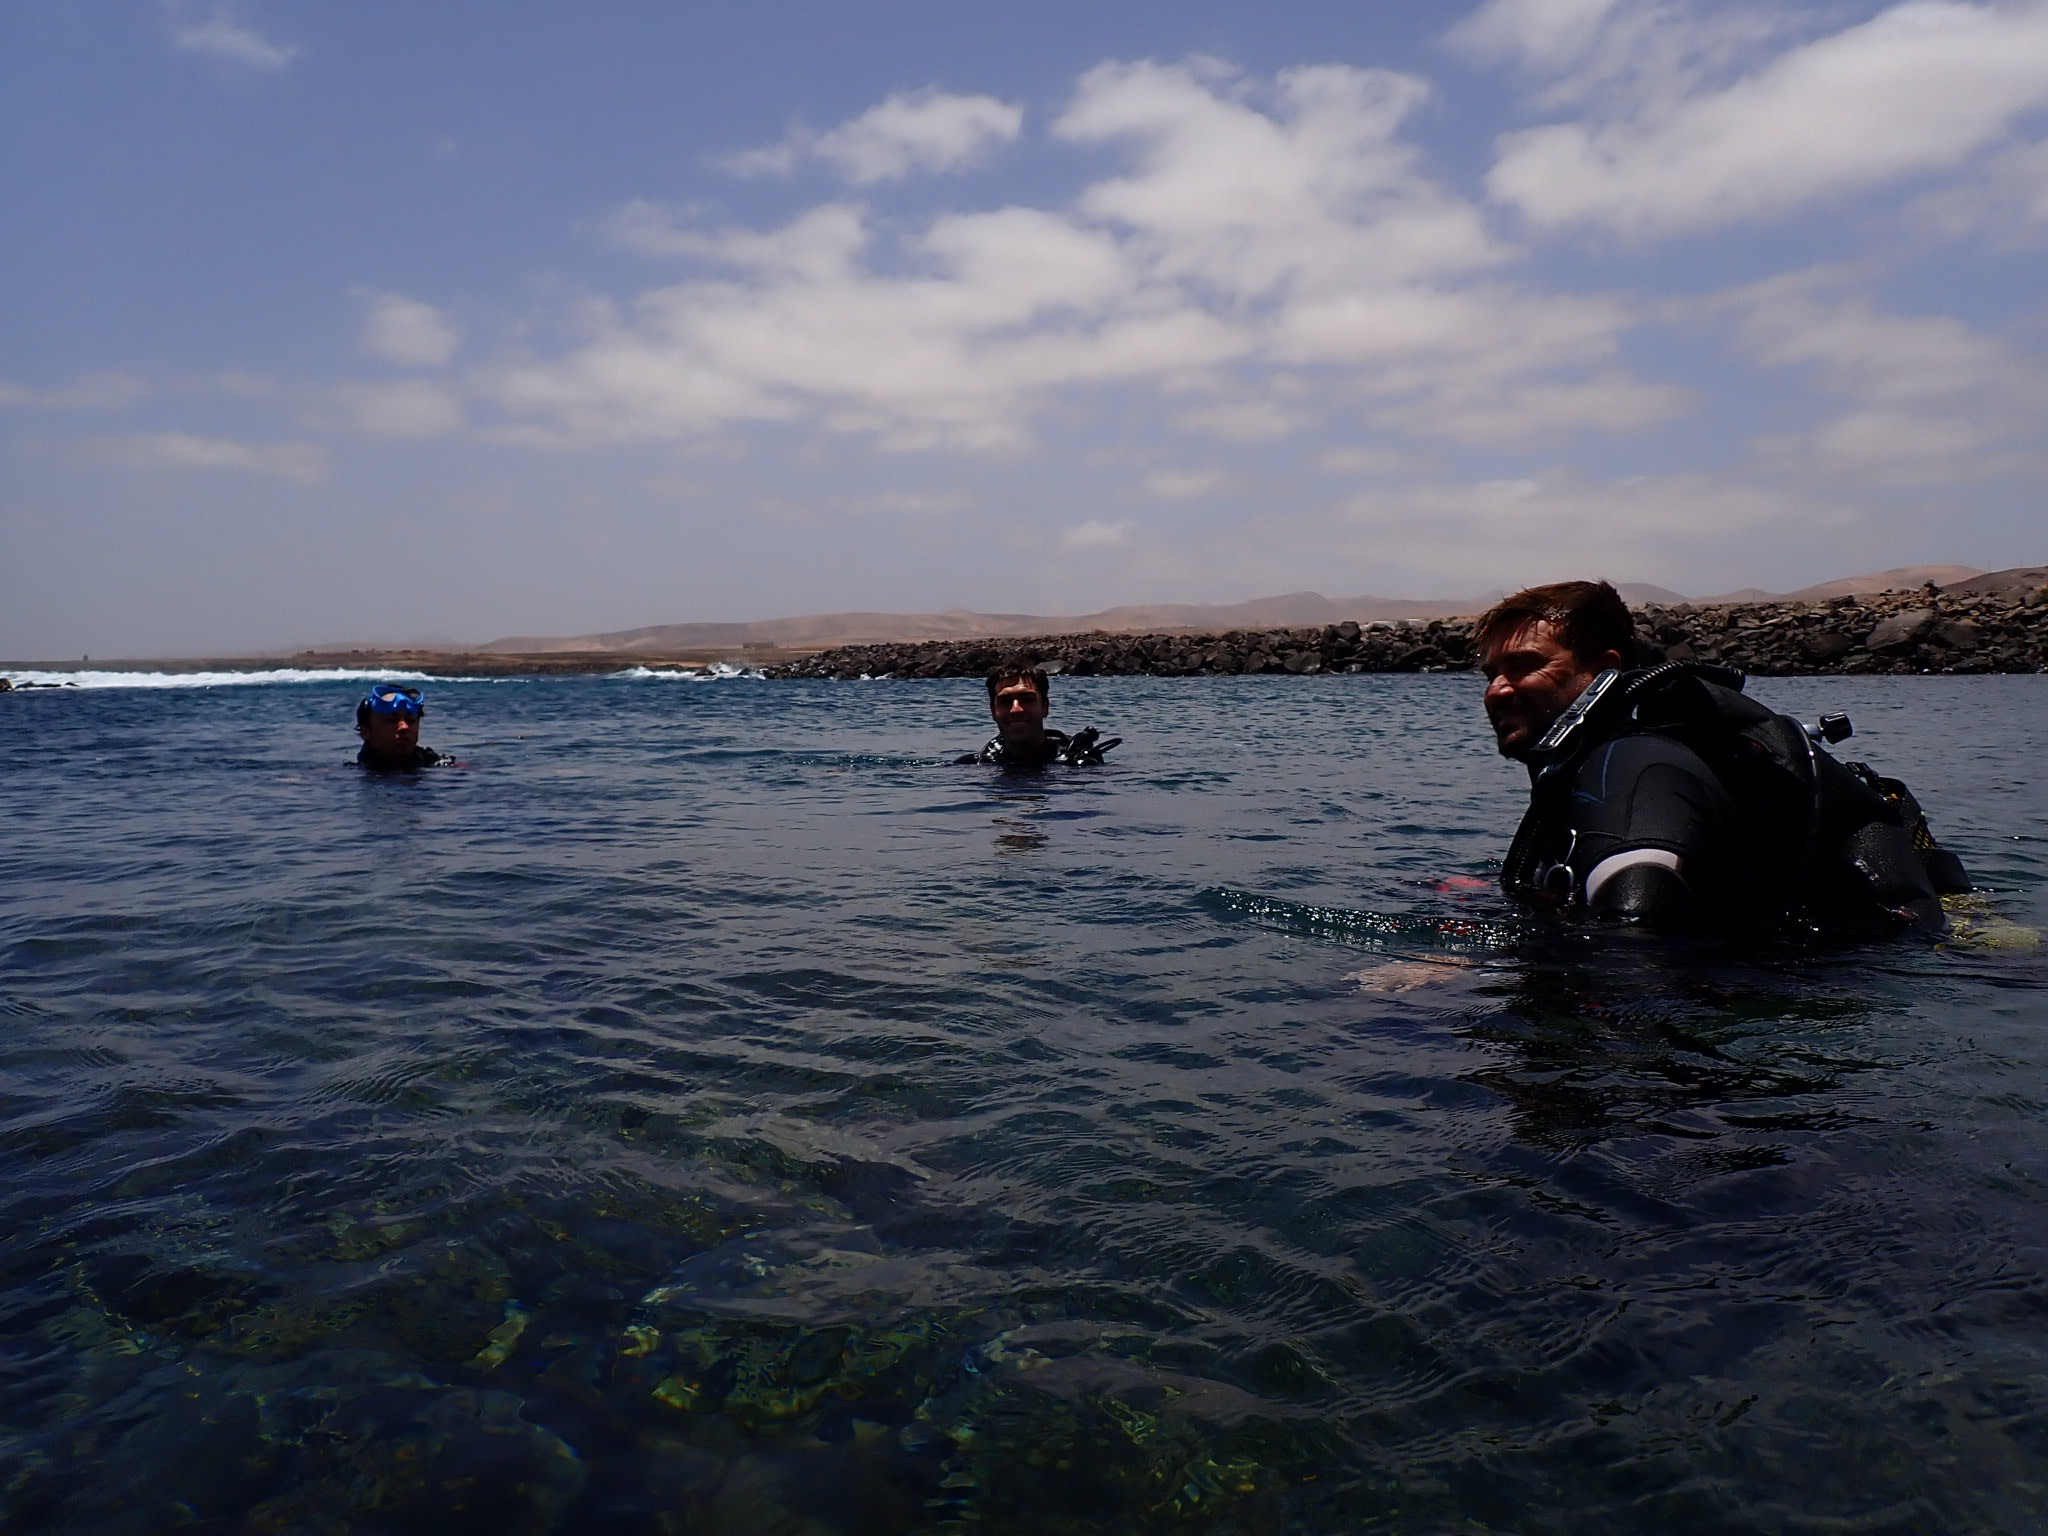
(912, 132)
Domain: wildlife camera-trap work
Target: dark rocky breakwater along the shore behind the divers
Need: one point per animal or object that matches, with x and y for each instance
(1891, 632)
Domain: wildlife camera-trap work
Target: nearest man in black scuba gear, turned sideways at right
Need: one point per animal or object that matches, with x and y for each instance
(1660, 796)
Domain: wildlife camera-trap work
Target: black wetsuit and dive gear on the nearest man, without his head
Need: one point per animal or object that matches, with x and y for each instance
(1697, 808)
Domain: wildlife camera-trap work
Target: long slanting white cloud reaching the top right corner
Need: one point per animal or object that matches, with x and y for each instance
(1916, 89)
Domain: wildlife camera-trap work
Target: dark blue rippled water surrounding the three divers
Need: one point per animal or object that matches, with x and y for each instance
(710, 1111)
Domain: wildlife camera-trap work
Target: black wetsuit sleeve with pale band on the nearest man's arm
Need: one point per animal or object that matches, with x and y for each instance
(1654, 833)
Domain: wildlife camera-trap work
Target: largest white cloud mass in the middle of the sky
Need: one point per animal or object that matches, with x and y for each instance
(1256, 230)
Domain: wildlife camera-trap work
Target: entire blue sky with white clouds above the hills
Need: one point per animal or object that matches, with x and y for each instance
(407, 323)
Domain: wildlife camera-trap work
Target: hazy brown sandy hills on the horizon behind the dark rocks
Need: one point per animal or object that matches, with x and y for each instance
(1285, 611)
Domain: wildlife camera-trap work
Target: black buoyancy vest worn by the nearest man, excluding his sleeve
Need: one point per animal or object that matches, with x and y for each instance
(1828, 845)
